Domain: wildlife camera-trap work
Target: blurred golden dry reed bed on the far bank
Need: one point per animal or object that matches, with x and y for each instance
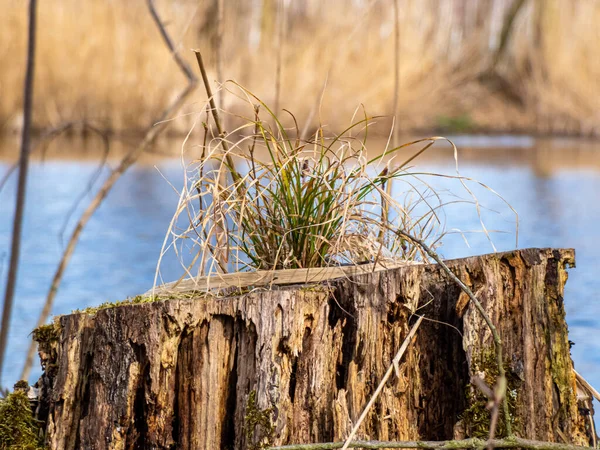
(104, 62)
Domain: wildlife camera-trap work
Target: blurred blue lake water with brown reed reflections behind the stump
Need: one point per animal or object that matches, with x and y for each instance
(554, 185)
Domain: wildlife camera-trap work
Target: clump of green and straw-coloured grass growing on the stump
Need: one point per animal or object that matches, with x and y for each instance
(263, 198)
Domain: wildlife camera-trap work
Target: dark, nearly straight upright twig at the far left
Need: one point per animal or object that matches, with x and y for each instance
(22, 183)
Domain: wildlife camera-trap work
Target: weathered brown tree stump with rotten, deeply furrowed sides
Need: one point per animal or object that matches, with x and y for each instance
(297, 364)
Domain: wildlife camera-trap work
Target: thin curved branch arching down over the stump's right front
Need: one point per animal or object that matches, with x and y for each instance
(482, 312)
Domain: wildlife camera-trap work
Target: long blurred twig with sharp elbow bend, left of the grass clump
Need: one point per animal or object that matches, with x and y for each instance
(128, 160)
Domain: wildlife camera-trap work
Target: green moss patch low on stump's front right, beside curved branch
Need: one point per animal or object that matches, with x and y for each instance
(476, 417)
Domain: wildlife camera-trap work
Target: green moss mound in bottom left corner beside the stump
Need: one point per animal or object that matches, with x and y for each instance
(18, 429)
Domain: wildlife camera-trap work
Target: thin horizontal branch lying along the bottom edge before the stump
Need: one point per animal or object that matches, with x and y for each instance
(473, 443)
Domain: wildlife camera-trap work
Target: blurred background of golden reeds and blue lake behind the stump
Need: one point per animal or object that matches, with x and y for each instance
(515, 84)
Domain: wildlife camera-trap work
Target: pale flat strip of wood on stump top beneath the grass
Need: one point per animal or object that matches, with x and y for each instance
(272, 277)
